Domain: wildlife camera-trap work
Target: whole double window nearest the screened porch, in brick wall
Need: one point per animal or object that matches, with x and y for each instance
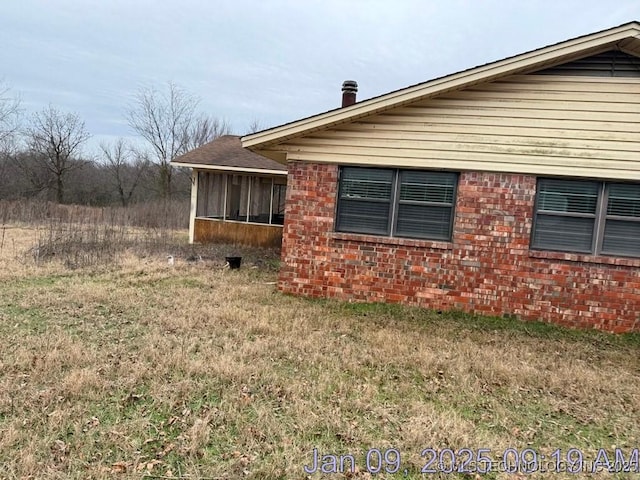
(397, 203)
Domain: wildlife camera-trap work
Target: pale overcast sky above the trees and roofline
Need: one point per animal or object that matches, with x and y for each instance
(273, 61)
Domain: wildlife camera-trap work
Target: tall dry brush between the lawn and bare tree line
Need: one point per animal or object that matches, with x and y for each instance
(81, 236)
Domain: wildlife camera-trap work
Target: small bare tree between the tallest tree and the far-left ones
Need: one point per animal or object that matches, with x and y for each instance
(126, 167)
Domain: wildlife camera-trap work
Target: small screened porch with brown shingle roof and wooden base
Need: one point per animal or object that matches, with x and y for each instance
(237, 196)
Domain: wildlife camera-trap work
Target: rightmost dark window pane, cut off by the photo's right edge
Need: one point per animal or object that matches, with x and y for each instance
(622, 222)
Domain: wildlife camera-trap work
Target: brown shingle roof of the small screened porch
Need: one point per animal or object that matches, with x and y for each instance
(226, 153)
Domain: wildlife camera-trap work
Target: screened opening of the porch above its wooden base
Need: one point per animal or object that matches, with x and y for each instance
(242, 198)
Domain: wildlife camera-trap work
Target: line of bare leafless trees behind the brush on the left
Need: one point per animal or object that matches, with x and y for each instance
(41, 156)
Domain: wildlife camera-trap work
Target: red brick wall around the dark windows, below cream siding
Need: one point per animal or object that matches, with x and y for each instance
(487, 268)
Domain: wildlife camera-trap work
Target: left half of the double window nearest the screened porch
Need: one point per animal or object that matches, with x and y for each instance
(364, 203)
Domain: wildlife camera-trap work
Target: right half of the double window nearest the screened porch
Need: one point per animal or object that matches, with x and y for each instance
(425, 204)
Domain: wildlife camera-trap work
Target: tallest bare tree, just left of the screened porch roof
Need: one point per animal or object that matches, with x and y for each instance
(168, 121)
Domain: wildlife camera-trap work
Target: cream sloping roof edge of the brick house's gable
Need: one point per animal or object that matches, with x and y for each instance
(625, 38)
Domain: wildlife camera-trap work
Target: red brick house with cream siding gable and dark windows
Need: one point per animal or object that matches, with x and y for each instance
(512, 188)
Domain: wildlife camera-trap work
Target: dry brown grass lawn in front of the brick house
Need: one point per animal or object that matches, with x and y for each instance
(133, 368)
